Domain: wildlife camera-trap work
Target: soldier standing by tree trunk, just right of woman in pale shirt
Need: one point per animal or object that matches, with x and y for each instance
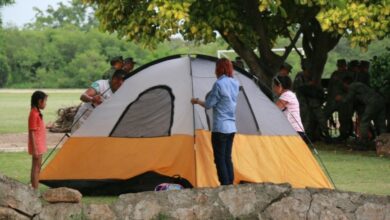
(311, 98)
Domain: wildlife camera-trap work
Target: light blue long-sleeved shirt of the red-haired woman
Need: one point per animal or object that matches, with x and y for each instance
(223, 100)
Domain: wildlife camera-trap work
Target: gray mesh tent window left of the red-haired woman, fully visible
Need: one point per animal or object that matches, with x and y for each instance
(150, 115)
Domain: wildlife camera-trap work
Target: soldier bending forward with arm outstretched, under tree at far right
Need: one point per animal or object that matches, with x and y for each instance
(374, 107)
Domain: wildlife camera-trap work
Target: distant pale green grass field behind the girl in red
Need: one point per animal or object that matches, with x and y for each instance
(15, 107)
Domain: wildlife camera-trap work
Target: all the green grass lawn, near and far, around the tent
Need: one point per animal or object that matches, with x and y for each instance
(351, 171)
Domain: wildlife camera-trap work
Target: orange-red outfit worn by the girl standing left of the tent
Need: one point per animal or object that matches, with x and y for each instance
(36, 124)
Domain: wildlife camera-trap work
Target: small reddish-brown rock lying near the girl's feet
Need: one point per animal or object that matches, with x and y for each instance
(62, 194)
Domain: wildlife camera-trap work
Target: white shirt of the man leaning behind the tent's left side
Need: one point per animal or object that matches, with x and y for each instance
(102, 88)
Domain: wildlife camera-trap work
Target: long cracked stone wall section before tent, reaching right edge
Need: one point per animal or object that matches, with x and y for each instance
(252, 201)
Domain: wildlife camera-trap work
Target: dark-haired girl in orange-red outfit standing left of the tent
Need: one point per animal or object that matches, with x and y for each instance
(36, 135)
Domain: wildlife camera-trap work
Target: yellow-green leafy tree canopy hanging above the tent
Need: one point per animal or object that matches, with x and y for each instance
(152, 21)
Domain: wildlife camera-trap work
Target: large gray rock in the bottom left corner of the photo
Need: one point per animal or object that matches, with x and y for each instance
(19, 197)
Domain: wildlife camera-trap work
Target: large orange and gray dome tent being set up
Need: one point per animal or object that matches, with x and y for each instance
(149, 133)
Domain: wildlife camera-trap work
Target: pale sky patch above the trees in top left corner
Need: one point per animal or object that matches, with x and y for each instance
(21, 12)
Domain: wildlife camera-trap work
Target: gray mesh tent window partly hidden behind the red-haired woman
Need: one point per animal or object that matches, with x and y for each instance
(245, 120)
